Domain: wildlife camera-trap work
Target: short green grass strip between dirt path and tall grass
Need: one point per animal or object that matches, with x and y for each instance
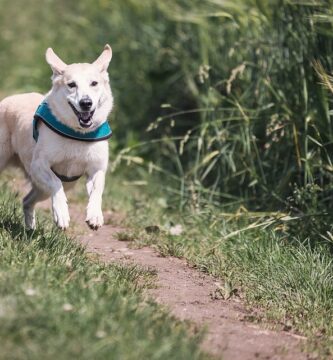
(290, 279)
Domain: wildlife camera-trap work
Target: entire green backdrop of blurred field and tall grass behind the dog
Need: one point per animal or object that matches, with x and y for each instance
(235, 109)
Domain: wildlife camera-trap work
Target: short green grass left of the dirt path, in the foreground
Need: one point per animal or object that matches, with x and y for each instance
(58, 303)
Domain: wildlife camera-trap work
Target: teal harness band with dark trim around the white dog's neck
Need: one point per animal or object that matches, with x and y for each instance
(44, 114)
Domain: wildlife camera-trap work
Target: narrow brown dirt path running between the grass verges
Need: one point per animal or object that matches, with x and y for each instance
(187, 293)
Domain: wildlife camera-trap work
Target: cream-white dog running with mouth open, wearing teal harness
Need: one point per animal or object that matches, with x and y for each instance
(61, 136)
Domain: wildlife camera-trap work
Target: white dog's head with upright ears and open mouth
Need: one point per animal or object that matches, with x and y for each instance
(81, 95)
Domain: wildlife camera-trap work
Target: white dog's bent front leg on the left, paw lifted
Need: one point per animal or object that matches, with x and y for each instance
(45, 179)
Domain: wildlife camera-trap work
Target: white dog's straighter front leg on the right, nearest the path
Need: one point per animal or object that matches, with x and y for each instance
(95, 187)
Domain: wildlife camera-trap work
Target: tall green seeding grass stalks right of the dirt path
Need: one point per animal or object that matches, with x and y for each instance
(245, 118)
